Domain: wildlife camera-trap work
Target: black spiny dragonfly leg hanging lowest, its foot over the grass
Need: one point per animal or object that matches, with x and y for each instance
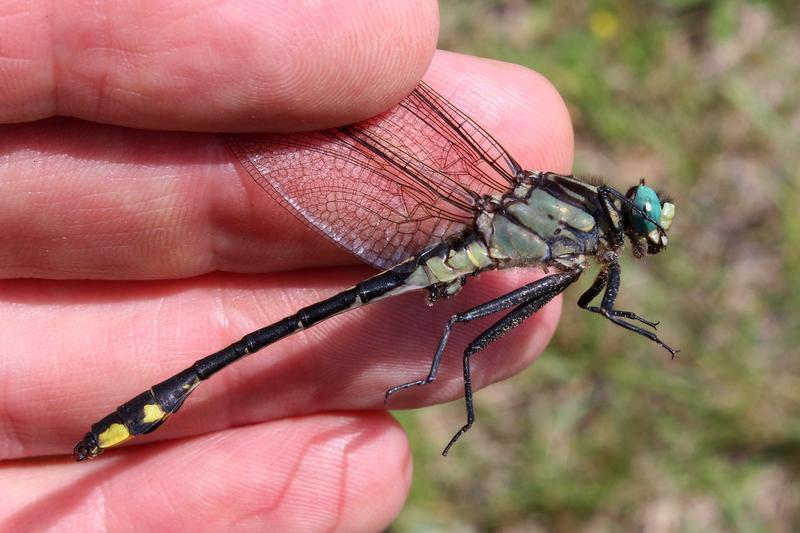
(545, 290)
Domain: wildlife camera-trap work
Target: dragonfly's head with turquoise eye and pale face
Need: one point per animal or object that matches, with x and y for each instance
(648, 220)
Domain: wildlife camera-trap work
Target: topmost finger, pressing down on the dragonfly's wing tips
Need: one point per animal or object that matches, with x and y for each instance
(215, 65)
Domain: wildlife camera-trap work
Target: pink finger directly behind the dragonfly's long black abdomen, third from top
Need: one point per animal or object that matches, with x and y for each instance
(76, 350)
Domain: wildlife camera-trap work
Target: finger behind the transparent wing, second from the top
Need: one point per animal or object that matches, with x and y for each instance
(80, 200)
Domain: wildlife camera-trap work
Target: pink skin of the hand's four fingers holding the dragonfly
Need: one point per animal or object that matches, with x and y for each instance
(133, 244)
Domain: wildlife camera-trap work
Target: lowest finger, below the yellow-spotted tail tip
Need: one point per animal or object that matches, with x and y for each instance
(326, 472)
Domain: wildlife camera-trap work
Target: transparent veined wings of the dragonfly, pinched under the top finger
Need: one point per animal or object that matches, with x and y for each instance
(389, 186)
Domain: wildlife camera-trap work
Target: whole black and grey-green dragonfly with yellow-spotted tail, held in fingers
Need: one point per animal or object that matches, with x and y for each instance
(428, 196)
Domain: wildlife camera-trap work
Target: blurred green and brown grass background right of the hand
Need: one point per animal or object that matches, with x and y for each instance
(604, 432)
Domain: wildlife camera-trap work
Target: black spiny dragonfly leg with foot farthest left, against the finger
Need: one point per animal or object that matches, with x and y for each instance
(523, 294)
